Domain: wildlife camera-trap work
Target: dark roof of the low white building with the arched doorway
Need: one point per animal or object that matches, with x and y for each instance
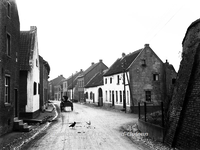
(96, 80)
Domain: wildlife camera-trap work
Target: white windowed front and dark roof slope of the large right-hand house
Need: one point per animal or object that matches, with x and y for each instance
(116, 82)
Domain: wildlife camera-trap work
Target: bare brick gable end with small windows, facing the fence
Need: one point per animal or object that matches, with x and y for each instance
(148, 76)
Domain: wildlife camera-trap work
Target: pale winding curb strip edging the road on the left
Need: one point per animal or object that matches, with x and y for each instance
(41, 130)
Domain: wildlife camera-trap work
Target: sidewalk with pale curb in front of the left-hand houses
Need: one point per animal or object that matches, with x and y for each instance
(15, 140)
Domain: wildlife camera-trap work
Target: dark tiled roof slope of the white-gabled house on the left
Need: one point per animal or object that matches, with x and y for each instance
(27, 43)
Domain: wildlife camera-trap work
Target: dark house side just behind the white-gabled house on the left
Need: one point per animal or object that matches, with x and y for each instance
(44, 75)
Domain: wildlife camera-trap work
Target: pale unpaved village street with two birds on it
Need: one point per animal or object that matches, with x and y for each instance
(103, 133)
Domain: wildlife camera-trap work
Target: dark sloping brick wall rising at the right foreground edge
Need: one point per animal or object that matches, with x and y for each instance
(183, 130)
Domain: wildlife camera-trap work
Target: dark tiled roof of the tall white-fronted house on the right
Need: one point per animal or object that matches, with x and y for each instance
(118, 67)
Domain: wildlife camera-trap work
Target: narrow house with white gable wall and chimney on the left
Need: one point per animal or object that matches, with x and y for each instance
(29, 74)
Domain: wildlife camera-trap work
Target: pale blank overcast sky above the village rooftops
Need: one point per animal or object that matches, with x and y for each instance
(74, 33)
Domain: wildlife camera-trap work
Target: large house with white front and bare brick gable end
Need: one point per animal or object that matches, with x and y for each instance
(144, 75)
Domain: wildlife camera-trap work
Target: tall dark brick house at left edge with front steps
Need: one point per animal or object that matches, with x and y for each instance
(9, 74)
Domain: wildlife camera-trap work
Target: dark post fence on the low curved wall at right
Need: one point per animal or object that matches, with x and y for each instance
(152, 114)
